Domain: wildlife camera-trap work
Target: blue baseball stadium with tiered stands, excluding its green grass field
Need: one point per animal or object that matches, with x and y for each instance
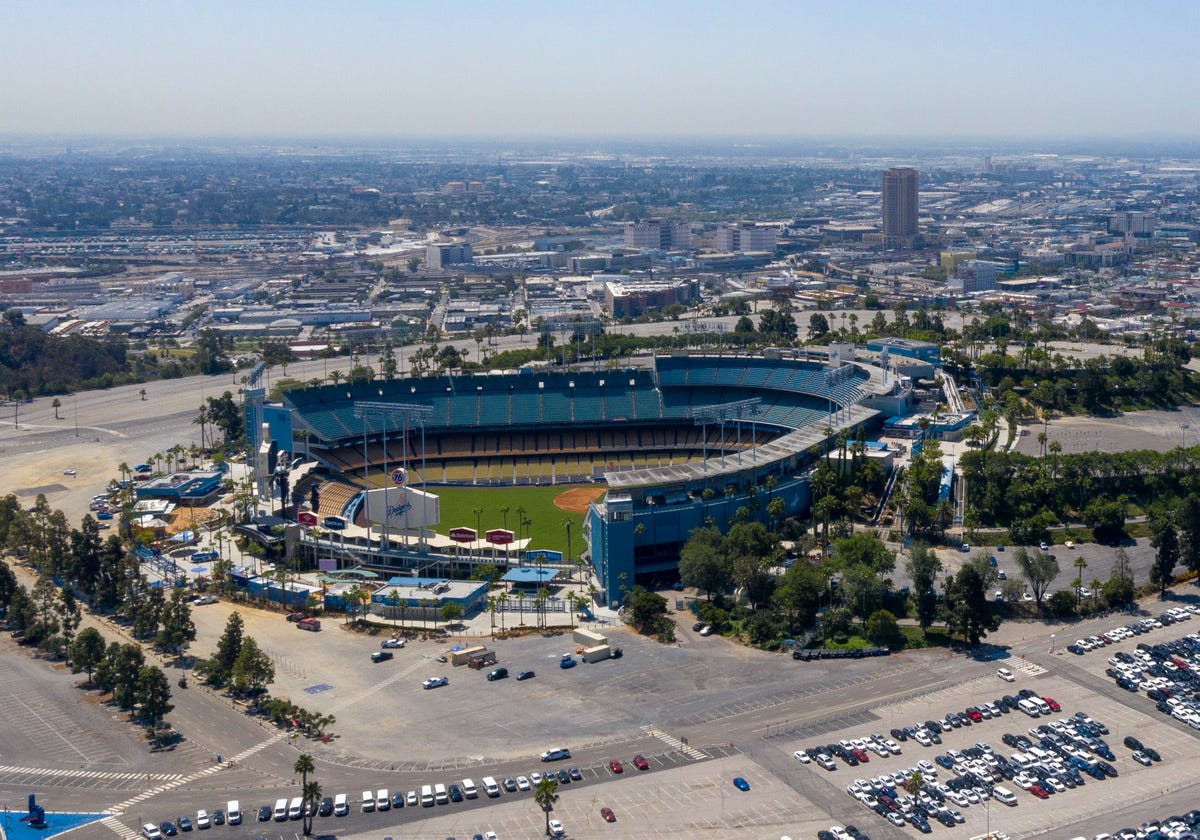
(689, 440)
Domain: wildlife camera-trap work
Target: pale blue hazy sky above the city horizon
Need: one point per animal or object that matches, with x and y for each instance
(608, 68)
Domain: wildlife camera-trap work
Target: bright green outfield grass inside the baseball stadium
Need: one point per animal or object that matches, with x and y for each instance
(547, 529)
